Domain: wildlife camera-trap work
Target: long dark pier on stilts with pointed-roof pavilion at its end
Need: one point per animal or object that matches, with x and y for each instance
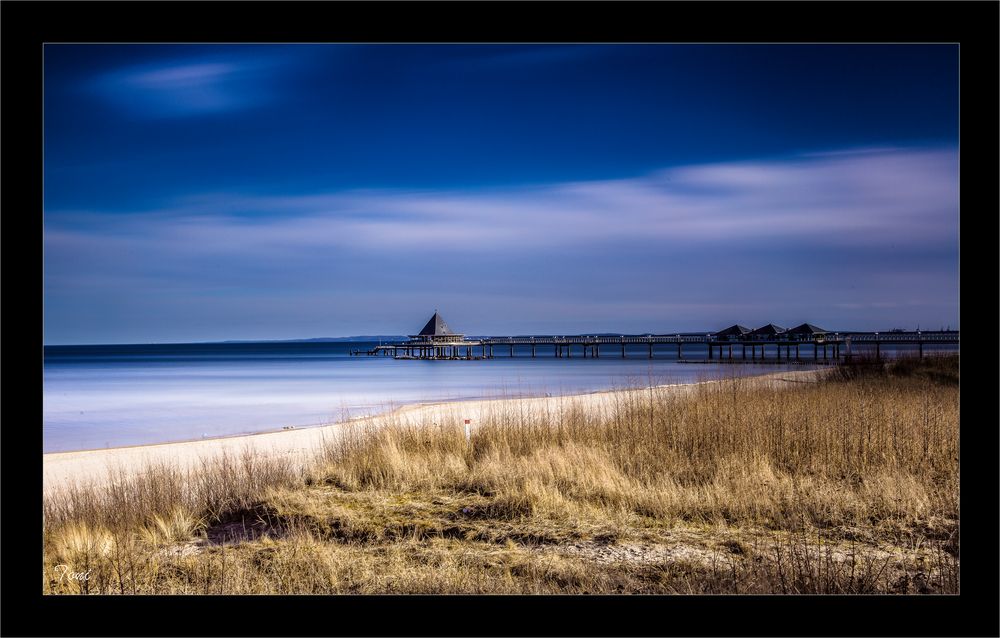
(769, 343)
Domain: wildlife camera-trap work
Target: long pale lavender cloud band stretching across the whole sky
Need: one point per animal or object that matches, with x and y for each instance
(897, 197)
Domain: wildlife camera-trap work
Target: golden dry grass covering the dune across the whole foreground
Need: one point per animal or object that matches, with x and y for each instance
(846, 486)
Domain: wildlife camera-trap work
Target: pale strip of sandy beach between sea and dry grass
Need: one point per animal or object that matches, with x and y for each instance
(300, 445)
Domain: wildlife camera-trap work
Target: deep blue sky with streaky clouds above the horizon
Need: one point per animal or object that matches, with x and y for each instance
(214, 192)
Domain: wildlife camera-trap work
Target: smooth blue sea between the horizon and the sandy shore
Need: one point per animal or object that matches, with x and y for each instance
(110, 396)
